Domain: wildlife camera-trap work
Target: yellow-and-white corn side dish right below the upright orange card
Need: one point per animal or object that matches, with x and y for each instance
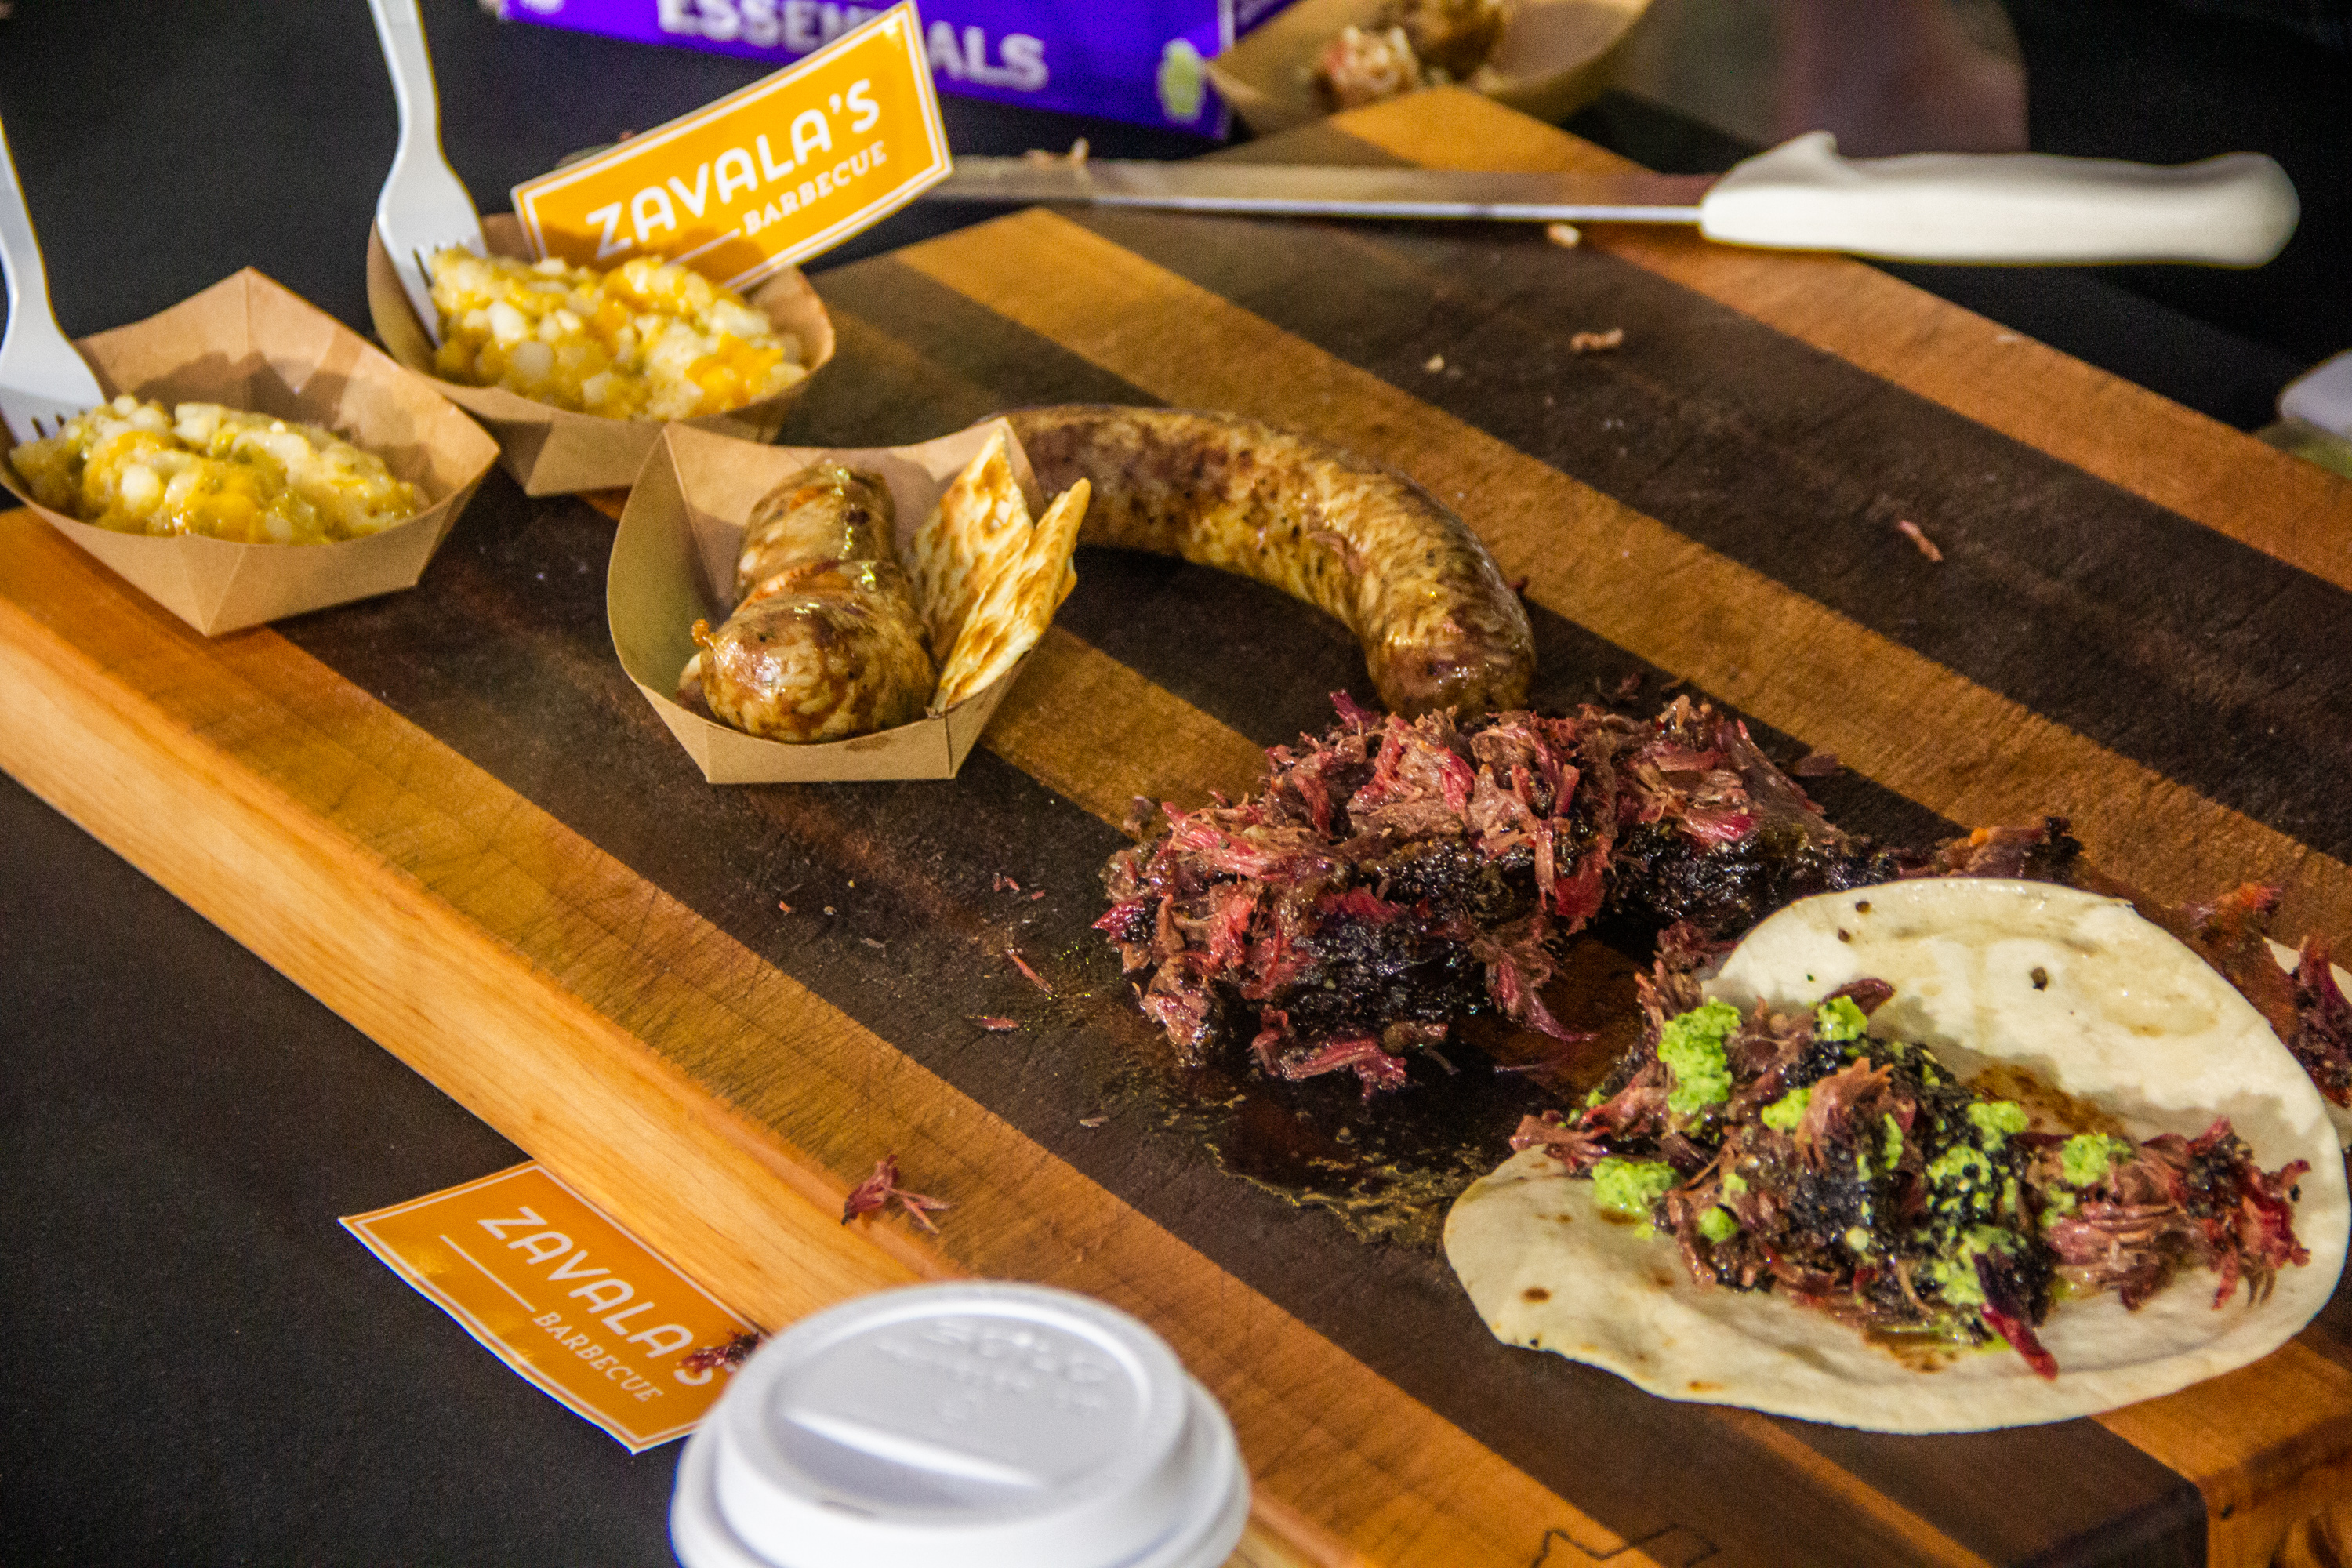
(648, 340)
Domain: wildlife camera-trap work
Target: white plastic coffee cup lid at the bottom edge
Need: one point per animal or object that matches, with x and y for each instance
(987, 1426)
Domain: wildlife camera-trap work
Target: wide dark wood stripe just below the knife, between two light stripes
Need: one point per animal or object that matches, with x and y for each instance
(2167, 643)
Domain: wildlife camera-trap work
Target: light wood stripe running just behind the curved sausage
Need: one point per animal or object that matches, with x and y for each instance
(1890, 713)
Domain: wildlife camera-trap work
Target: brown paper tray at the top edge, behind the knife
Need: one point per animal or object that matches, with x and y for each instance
(1553, 58)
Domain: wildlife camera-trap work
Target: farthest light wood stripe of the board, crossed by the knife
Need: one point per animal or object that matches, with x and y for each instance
(2007, 382)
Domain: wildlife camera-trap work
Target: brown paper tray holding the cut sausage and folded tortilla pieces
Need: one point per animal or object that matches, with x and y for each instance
(674, 563)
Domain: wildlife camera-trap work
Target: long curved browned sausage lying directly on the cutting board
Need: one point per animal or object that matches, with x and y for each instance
(1361, 542)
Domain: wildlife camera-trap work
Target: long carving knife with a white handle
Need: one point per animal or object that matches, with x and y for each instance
(1989, 208)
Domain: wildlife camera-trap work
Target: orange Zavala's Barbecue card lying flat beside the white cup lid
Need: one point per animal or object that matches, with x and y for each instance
(563, 1296)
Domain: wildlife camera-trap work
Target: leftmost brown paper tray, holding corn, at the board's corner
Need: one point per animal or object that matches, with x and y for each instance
(253, 344)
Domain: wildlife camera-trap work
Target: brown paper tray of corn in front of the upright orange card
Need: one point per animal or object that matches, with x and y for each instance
(556, 453)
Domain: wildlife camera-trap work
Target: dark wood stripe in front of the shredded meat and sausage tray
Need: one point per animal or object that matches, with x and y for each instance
(909, 878)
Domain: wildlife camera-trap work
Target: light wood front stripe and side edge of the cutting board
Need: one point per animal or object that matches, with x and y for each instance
(653, 1059)
